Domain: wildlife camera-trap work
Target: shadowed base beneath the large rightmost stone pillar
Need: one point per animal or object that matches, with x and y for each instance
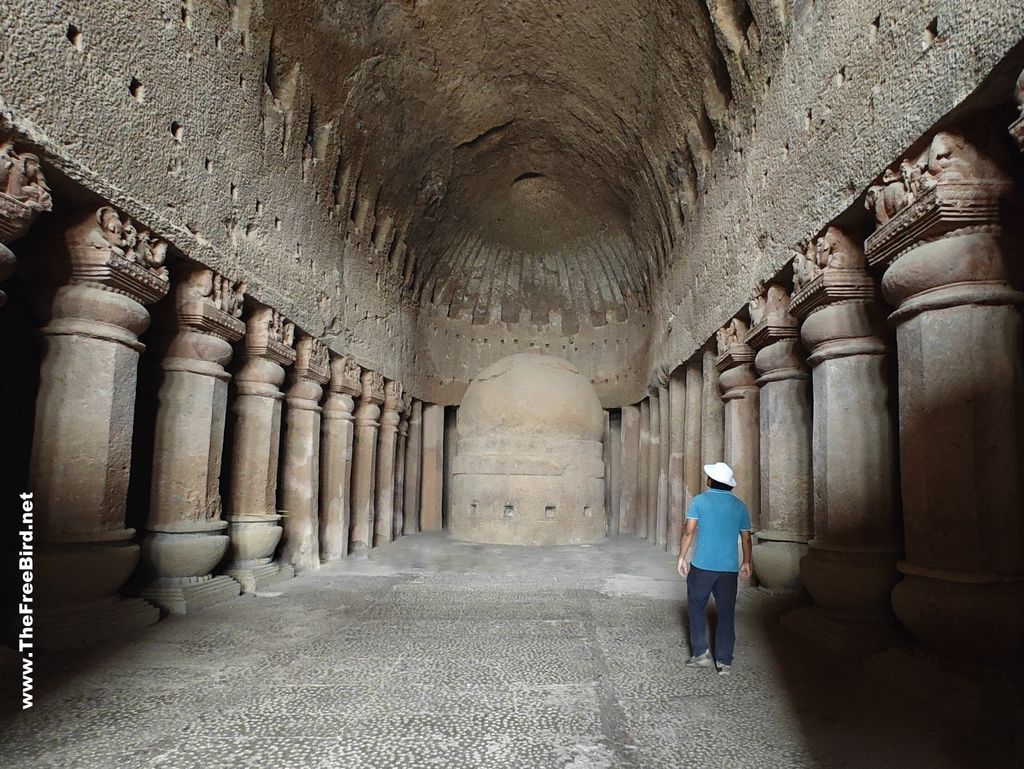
(977, 697)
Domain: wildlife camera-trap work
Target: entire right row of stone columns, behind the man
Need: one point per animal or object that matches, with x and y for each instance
(899, 510)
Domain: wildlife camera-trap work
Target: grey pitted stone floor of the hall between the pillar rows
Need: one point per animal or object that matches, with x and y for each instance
(437, 654)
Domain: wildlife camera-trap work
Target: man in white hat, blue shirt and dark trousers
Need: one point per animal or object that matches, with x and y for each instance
(721, 518)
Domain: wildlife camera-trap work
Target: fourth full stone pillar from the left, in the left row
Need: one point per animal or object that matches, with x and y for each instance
(301, 464)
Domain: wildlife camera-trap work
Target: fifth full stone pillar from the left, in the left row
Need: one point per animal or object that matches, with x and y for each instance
(336, 458)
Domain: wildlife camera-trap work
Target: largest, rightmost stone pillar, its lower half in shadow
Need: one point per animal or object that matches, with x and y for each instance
(952, 260)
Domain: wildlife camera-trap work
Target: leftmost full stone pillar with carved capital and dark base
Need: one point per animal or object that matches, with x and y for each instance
(81, 453)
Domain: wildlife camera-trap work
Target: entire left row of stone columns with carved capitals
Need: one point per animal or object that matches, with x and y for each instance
(322, 457)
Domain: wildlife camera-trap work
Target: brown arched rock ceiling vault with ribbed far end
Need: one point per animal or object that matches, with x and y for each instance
(530, 161)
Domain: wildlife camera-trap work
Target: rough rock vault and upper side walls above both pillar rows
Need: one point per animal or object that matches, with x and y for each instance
(450, 183)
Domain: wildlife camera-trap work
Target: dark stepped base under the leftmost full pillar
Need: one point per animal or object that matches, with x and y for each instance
(71, 627)
